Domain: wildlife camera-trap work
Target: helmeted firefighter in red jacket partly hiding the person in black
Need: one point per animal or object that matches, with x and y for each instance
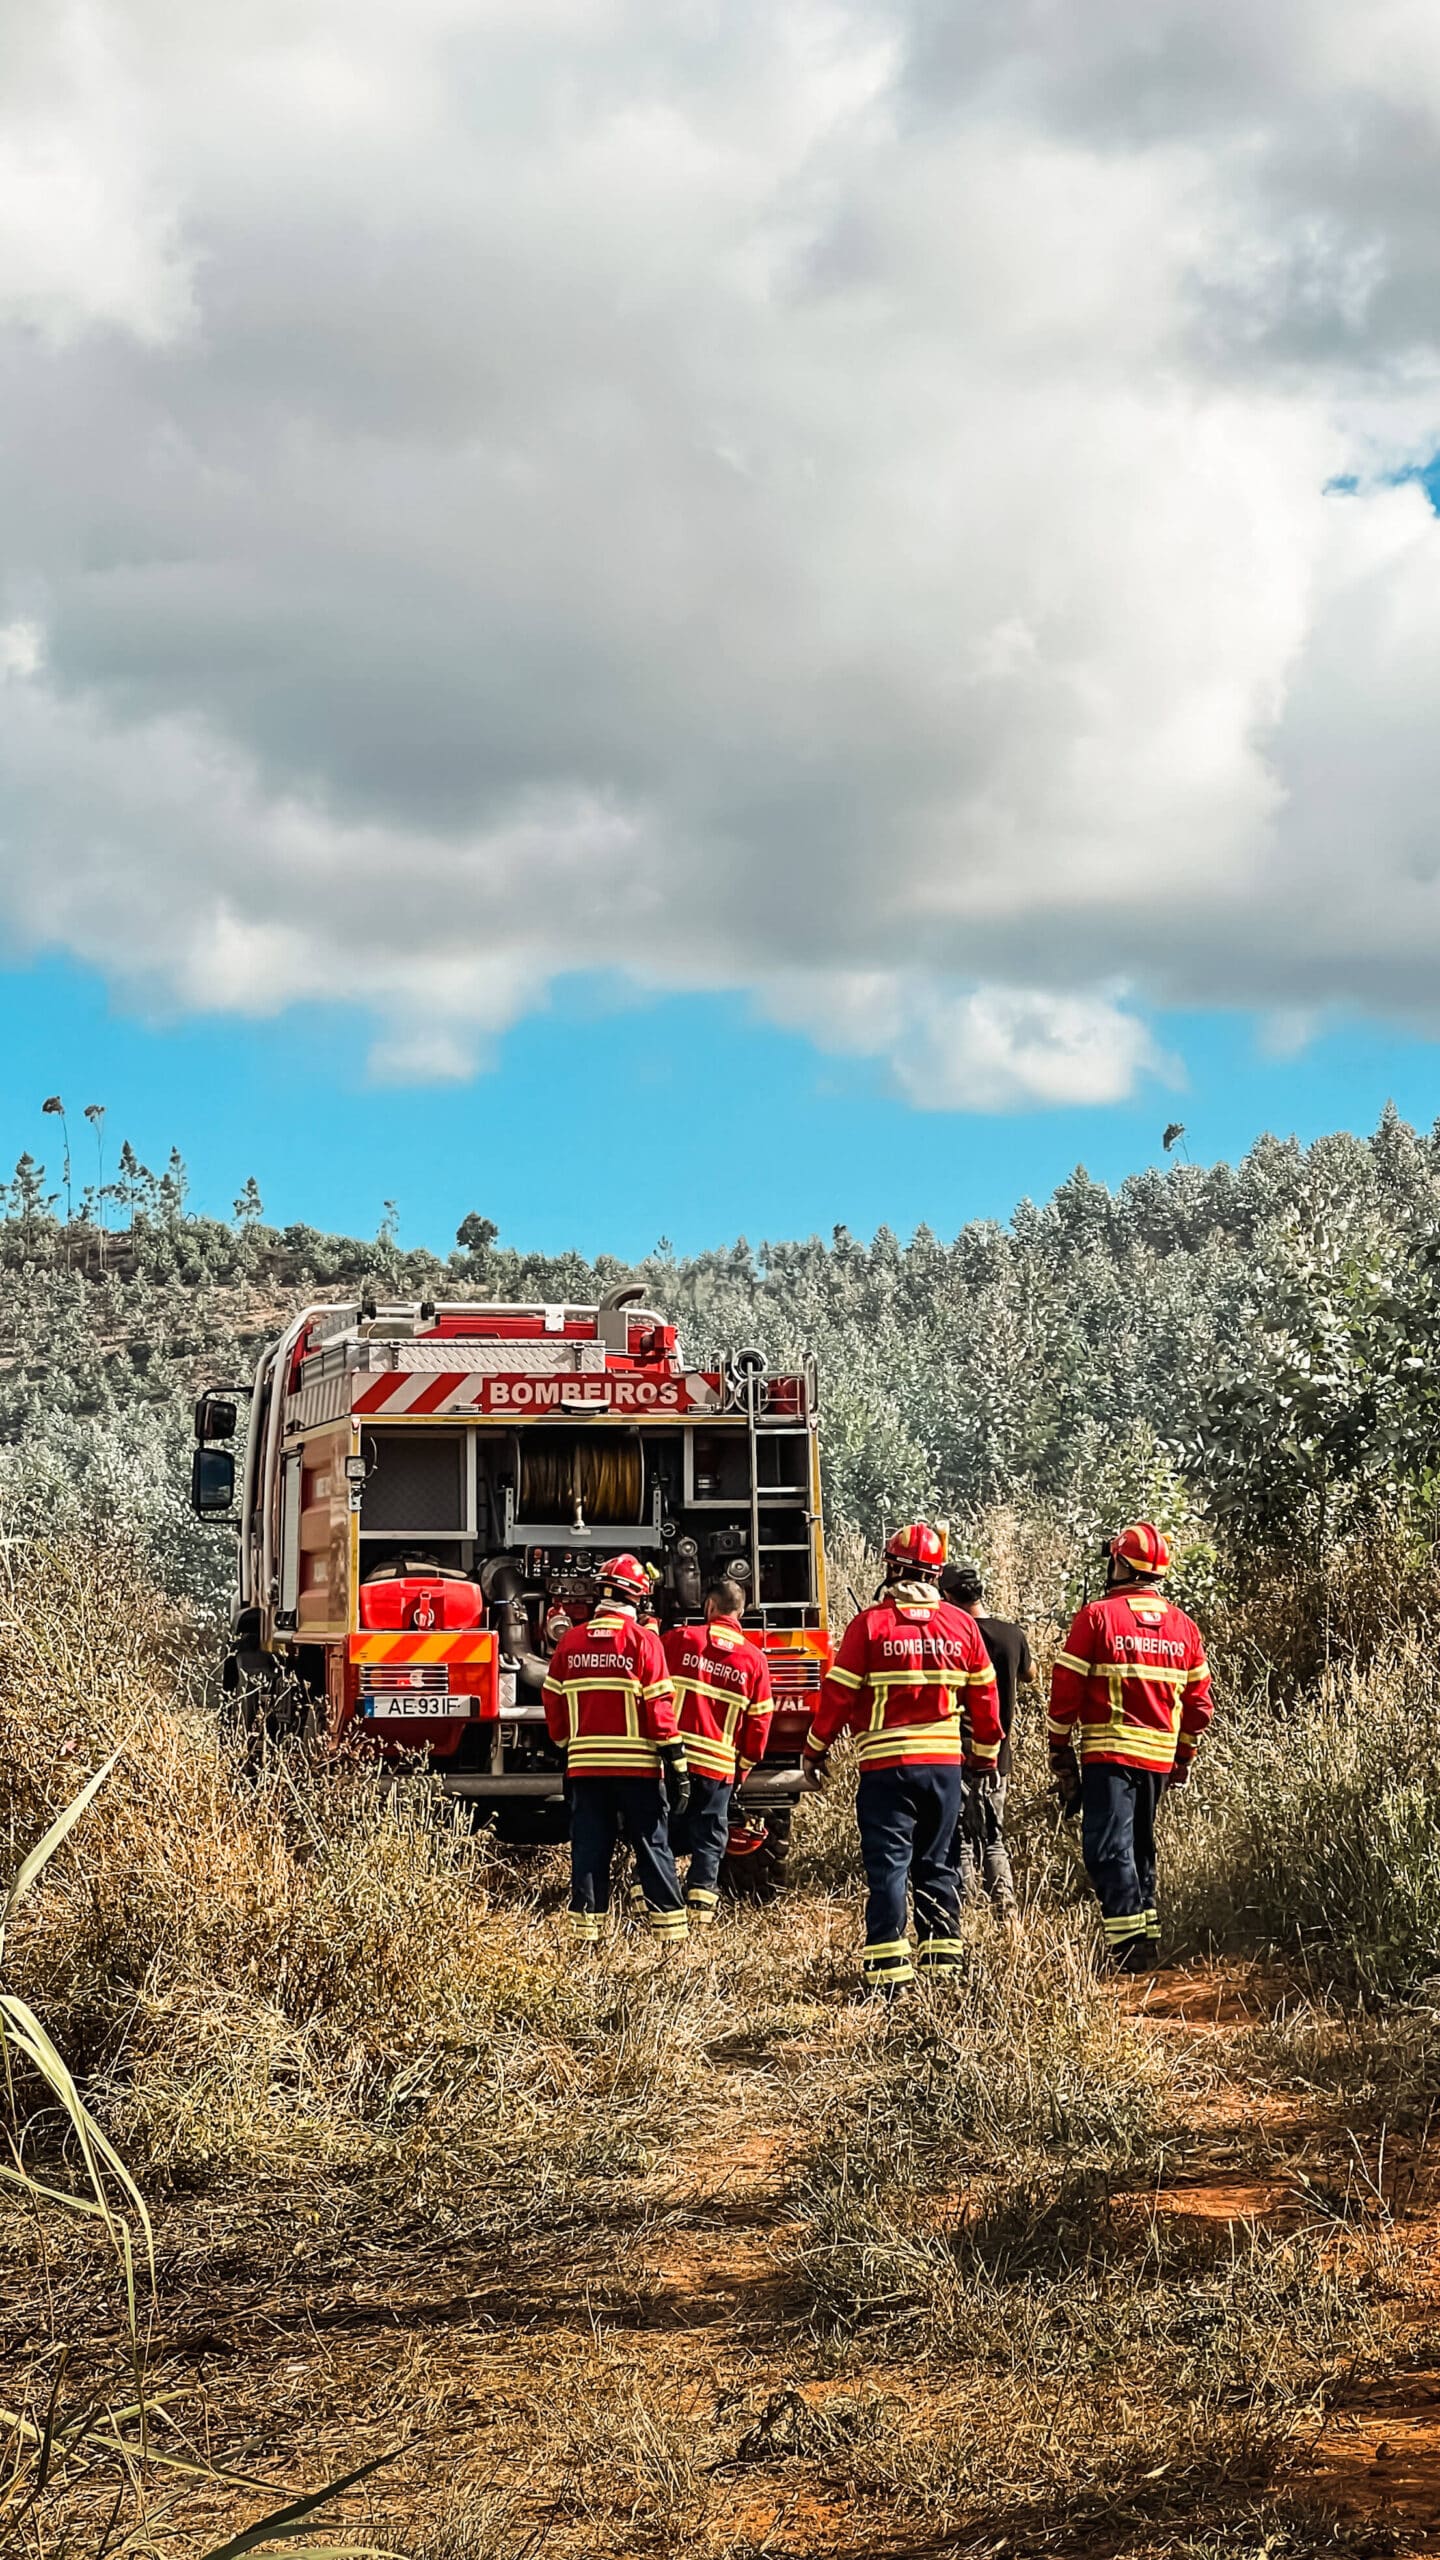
(906, 1673)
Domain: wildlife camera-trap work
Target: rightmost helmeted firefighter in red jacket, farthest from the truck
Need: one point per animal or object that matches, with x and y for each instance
(1129, 1704)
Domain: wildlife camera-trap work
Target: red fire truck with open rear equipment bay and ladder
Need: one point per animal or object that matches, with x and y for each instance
(427, 1494)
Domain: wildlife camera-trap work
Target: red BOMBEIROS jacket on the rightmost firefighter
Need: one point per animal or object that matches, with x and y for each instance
(1131, 1683)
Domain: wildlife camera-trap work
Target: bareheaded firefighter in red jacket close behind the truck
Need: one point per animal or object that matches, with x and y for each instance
(724, 1706)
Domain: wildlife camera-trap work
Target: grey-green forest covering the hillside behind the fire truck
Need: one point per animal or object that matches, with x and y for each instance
(1247, 1350)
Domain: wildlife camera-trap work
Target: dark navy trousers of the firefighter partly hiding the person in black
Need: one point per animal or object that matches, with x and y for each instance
(908, 1844)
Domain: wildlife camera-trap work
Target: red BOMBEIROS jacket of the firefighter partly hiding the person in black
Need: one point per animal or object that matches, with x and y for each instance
(903, 1673)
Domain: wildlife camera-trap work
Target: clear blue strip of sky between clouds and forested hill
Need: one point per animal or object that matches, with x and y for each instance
(606, 1128)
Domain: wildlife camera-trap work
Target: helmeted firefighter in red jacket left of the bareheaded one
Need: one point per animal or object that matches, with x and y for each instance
(611, 1711)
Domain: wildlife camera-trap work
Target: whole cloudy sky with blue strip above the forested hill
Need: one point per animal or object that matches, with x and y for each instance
(880, 544)
